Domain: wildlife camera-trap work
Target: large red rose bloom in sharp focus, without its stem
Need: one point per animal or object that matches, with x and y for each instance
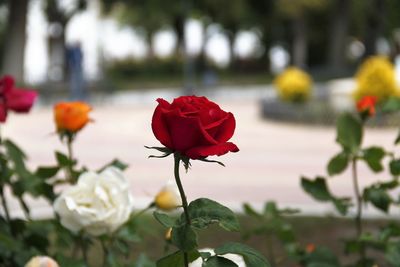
(194, 126)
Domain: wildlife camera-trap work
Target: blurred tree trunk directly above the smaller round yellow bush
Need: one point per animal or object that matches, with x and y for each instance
(299, 46)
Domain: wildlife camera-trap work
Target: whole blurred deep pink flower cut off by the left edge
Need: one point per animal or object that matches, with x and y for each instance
(15, 99)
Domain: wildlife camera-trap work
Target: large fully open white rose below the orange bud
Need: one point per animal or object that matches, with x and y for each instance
(98, 203)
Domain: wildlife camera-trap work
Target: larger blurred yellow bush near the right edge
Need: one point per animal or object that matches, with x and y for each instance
(375, 77)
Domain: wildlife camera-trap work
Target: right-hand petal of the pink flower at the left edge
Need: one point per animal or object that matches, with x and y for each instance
(20, 100)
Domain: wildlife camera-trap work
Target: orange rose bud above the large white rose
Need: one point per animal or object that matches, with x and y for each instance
(71, 116)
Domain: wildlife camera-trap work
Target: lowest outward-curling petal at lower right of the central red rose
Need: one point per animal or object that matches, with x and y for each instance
(205, 151)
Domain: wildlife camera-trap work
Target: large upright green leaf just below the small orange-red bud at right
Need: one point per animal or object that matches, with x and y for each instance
(349, 132)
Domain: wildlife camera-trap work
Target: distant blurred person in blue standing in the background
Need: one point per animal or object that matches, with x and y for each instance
(75, 70)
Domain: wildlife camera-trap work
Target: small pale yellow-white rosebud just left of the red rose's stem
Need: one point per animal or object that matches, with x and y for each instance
(168, 198)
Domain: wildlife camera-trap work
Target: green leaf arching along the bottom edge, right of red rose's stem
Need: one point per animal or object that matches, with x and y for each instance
(251, 257)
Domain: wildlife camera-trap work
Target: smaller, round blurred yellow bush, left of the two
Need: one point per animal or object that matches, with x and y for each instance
(293, 85)
